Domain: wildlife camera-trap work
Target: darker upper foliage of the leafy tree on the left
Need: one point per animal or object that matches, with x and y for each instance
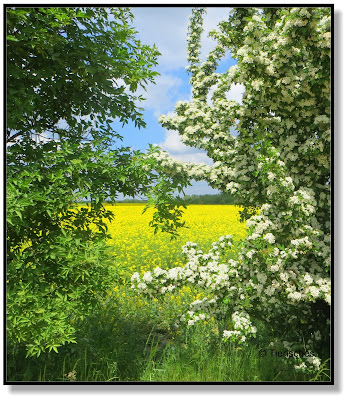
(75, 65)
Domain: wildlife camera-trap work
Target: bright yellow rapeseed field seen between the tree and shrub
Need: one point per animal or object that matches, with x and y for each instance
(135, 248)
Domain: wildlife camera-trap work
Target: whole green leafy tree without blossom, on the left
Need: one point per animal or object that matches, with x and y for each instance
(70, 73)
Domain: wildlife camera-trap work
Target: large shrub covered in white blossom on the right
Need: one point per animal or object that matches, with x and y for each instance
(278, 163)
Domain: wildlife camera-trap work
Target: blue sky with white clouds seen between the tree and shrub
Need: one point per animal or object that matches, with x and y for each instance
(167, 28)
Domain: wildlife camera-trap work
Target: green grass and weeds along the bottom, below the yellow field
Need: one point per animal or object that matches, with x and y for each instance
(113, 347)
